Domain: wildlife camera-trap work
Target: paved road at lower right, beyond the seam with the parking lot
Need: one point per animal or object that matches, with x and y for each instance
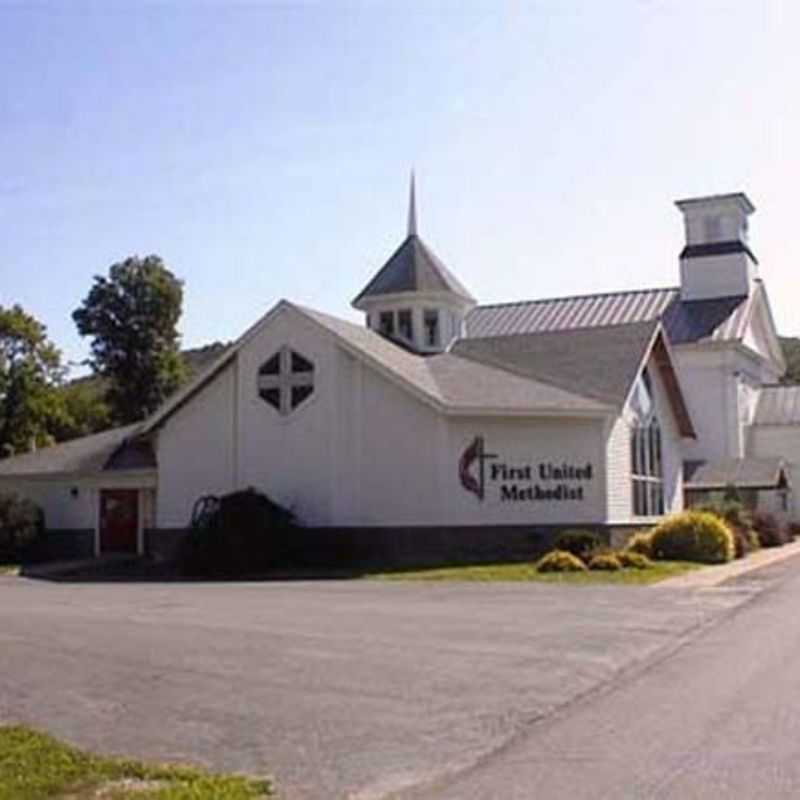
(720, 718)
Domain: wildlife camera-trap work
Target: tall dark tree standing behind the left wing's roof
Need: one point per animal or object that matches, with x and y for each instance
(132, 316)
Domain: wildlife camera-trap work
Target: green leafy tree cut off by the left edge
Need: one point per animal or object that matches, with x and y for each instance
(30, 371)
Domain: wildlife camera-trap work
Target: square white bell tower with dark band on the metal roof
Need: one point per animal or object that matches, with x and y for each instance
(716, 260)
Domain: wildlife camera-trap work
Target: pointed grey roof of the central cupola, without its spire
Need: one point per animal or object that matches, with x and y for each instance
(413, 267)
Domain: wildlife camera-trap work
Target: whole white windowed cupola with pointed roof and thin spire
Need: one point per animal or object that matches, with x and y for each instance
(414, 299)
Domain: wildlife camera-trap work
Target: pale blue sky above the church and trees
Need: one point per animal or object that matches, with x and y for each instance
(263, 150)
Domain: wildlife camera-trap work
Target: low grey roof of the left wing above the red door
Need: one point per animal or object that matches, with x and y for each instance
(87, 455)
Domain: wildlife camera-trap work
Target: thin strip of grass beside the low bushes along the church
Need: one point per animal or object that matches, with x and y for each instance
(526, 572)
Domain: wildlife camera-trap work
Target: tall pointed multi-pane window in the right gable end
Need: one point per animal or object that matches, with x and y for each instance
(647, 473)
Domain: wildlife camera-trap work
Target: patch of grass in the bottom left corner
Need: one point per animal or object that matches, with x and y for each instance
(34, 766)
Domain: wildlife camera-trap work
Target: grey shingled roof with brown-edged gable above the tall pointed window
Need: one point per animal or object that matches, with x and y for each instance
(599, 362)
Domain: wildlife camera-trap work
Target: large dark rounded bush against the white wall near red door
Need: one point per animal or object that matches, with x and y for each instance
(240, 533)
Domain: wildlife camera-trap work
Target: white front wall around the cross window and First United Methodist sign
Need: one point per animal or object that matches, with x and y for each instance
(362, 450)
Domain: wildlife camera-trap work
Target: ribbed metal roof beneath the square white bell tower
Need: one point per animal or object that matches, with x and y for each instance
(718, 319)
